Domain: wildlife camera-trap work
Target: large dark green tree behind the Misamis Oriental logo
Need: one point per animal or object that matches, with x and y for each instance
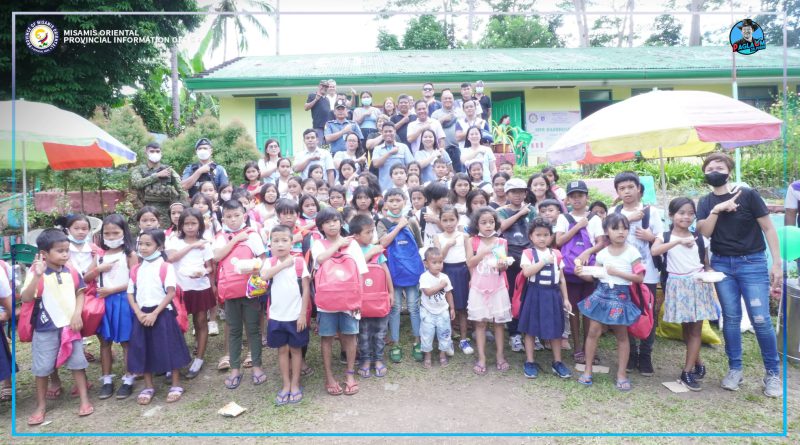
(78, 77)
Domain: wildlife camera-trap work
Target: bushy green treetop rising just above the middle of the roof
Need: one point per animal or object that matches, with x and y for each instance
(518, 32)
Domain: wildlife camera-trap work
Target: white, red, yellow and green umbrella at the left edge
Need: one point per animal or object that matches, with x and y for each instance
(44, 136)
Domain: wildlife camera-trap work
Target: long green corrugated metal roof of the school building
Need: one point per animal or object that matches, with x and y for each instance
(502, 64)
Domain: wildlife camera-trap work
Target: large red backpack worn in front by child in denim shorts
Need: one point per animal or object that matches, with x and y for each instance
(337, 283)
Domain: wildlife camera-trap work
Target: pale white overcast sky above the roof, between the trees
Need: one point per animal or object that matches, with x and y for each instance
(323, 30)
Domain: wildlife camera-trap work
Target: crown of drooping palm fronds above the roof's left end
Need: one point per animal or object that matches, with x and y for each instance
(219, 28)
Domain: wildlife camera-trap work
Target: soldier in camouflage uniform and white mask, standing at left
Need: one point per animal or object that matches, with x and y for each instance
(156, 184)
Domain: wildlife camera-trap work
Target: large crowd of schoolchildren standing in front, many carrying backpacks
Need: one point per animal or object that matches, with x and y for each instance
(475, 251)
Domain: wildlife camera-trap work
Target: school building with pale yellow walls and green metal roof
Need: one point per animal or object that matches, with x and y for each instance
(543, 90)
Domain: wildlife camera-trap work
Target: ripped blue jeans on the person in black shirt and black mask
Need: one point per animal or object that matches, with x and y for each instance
(746, 277)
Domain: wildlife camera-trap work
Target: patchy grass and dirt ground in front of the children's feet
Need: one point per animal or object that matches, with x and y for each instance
(449, 400)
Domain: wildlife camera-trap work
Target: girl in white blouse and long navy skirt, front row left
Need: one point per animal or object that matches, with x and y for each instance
(157, 344)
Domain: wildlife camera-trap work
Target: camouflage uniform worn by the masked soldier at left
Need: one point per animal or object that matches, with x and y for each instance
(157, 192)
